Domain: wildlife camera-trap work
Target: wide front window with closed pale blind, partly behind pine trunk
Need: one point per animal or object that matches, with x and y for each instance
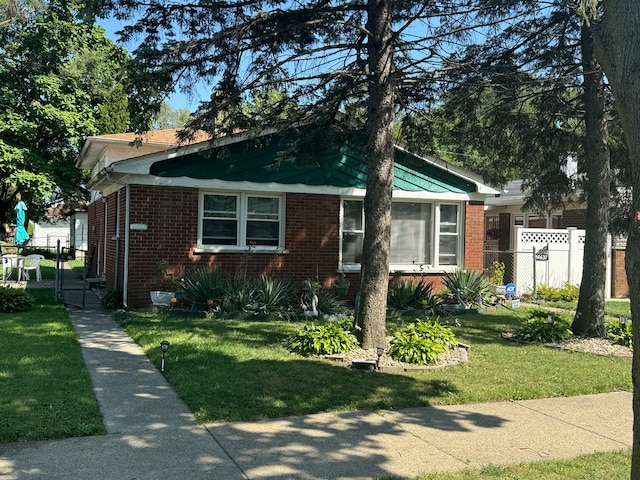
(423, 234)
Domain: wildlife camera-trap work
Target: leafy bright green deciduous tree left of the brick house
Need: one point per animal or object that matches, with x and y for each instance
(59, 83)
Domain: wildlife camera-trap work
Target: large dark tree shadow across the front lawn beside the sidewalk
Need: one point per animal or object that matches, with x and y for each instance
(222, 388)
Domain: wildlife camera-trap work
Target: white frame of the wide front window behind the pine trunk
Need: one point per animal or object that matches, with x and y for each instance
(435, 244)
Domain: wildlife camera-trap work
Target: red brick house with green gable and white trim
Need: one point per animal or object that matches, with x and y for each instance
(241, 204)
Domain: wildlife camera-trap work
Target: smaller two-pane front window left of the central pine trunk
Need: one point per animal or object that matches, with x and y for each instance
(241, 220)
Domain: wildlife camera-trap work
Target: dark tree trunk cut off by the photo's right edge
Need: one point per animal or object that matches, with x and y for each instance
(618, 49)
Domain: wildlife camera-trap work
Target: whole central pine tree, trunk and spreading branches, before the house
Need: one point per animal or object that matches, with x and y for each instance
(324, 56)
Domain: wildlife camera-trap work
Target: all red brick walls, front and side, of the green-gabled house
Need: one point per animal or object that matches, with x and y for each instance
(170, 215)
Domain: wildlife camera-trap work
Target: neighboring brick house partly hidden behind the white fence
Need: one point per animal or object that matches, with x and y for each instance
(504, 214)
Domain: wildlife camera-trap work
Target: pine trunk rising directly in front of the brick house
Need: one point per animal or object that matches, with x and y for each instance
(374, 276)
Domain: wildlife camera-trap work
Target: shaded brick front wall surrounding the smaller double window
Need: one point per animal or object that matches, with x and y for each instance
(171, 216)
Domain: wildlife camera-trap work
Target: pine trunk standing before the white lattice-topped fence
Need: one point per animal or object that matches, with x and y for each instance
(589, 318)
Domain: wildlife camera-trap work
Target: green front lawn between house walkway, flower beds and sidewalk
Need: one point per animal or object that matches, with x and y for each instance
(228, 370)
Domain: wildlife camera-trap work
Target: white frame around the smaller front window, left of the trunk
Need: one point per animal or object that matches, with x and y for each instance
(242, 218)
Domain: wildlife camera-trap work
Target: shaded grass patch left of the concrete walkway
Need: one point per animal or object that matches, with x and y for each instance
(46, 391)
